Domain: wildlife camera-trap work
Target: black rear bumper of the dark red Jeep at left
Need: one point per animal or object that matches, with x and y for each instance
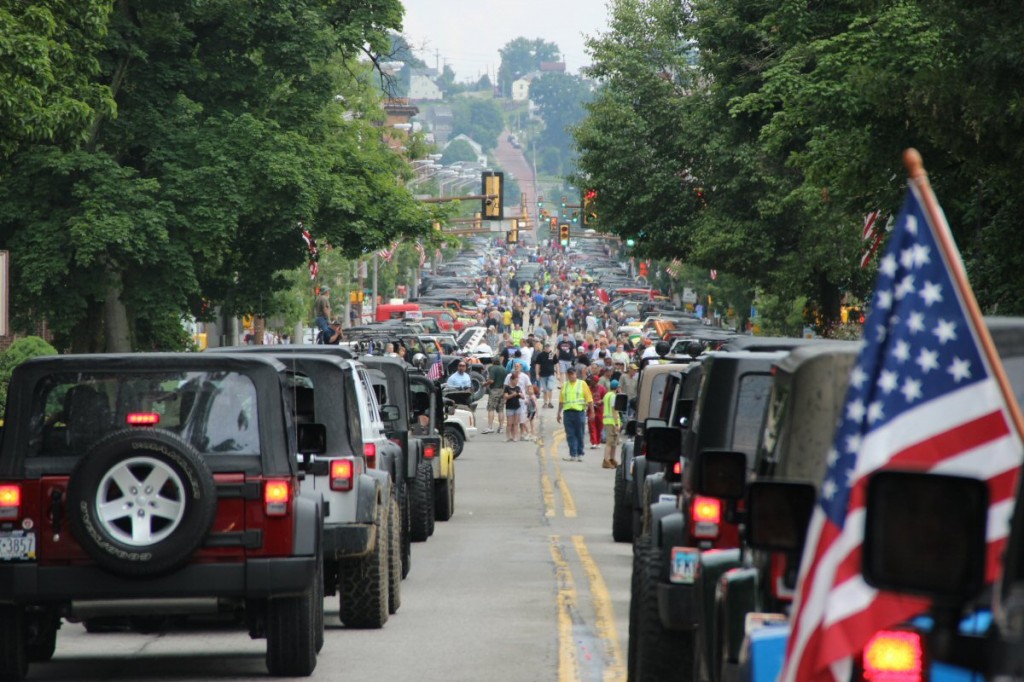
(254, 579)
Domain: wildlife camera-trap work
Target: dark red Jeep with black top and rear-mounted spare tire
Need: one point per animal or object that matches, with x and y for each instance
(141, 485)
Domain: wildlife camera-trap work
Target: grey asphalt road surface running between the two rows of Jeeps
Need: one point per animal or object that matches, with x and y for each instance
(524, 584)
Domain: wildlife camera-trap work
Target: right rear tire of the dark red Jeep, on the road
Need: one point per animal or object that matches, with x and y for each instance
(291, 635)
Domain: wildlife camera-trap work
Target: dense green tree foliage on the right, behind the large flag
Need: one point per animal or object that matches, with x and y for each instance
(754, 137)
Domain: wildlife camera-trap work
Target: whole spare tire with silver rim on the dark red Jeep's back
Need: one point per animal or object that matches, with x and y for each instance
(141, 502)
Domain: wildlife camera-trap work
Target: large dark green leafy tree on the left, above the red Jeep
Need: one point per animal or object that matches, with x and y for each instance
(235, 123)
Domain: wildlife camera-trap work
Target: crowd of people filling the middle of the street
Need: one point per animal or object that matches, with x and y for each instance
(557, 349)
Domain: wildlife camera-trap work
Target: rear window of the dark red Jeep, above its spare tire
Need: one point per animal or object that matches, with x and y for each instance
(216, 412)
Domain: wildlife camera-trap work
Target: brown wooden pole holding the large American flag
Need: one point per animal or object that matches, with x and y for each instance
(916, 168)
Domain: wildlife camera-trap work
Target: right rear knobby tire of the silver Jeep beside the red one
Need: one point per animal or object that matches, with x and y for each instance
(363, 583)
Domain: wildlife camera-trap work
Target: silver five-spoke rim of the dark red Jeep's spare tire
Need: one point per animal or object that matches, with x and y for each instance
(141, 501)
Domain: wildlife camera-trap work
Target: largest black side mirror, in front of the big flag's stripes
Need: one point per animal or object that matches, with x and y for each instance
(925, 534)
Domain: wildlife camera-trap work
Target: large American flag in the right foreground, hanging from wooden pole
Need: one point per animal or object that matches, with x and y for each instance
(923, 397)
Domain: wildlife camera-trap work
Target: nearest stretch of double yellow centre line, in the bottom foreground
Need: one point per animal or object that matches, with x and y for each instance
(569, 661)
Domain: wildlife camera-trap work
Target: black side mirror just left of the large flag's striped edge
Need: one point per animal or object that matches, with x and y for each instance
(778, 515)
